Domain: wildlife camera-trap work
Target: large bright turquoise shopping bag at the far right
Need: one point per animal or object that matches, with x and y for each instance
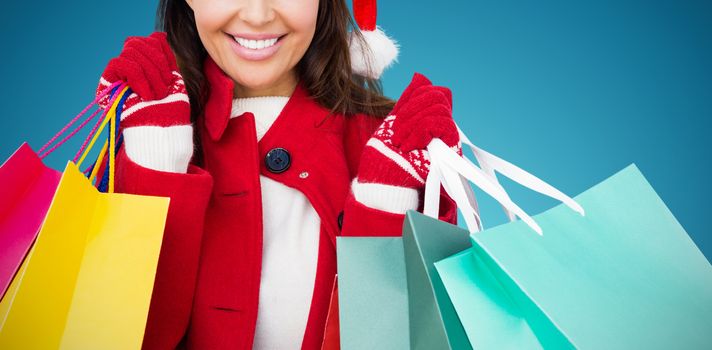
(624, 276)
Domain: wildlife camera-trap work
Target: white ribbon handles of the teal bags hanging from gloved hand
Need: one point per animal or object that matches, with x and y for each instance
(454, 172)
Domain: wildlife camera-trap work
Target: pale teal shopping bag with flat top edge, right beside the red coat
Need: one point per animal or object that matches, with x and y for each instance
(373, 293)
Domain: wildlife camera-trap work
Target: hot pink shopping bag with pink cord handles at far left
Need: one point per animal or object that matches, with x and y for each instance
(27, 190)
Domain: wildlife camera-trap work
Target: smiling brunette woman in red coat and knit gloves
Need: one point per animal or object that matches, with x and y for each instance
(292, 150)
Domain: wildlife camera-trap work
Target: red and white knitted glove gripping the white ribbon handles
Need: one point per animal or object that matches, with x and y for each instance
(395, 162)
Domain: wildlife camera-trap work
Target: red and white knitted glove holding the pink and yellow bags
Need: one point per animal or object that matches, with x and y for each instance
(156, 117)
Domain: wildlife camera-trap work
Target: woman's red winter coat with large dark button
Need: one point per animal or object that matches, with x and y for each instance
(207, 284)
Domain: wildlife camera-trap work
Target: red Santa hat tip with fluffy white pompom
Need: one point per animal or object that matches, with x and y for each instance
(379, 51)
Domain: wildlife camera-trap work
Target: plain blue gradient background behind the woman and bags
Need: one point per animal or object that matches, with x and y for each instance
(571, 91)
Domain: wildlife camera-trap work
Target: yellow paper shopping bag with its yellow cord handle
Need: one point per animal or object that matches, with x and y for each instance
(87, 281)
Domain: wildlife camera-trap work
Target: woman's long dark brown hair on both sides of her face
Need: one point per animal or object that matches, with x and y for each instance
(325, 69)
